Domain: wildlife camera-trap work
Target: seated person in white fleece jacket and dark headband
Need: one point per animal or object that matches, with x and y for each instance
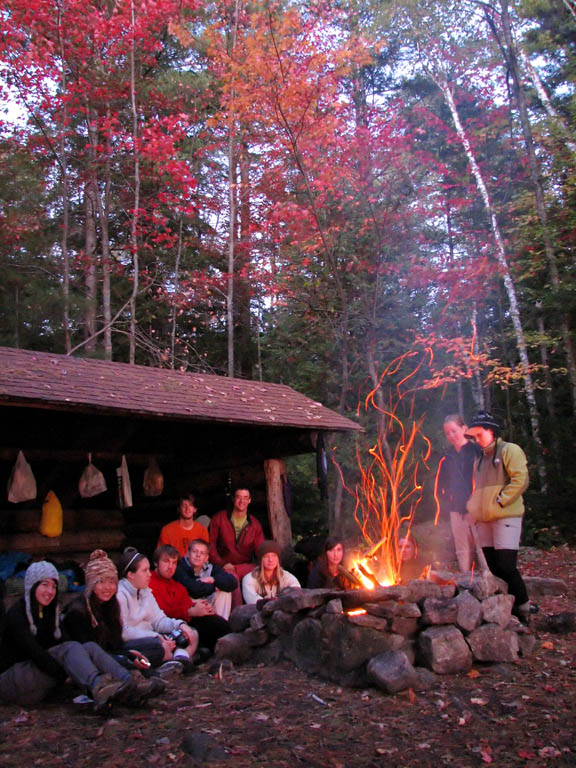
(145, 626)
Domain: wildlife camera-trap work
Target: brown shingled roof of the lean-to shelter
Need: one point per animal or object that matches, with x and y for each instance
(78, 384)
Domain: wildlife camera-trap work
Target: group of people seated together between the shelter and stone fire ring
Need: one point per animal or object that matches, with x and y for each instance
(133, 627)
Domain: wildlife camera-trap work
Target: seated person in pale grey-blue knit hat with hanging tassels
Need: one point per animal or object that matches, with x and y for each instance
(36, 661)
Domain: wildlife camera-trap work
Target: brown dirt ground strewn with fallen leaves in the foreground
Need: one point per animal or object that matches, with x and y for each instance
(506, 715)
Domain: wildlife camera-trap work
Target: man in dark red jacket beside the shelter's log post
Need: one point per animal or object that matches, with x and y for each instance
(234, 539)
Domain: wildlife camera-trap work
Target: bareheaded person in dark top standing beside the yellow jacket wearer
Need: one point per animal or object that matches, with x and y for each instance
(454, 486)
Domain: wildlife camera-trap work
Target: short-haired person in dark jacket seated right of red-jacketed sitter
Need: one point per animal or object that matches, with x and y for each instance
(204, 580)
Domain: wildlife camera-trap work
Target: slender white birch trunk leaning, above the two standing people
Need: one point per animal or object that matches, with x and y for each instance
(506, 276)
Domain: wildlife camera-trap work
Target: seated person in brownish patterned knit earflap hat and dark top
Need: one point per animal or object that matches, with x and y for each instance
(95, 617)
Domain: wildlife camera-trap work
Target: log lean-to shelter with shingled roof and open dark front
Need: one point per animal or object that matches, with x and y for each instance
(208, 433)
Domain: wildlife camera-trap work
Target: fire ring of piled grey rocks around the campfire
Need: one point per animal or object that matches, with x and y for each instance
(391, 637)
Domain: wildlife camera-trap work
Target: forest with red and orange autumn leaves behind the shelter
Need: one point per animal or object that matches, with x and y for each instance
(344, 197)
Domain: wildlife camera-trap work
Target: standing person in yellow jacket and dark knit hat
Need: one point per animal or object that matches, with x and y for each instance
(497, 506)
